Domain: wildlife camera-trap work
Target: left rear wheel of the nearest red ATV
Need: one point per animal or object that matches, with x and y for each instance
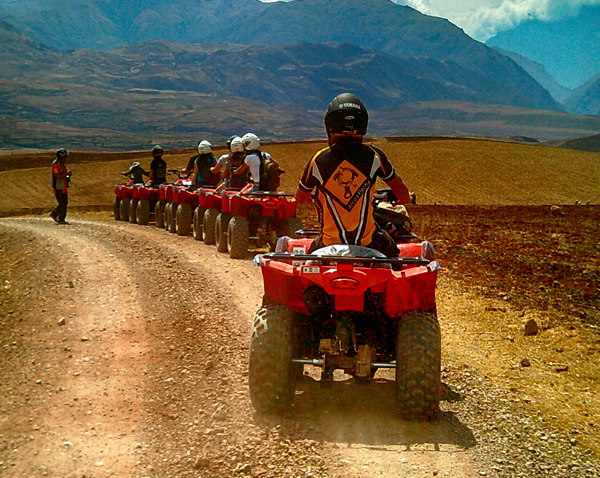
(272, 377)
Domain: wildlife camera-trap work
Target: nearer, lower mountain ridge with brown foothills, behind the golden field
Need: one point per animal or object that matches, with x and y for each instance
(174, 93)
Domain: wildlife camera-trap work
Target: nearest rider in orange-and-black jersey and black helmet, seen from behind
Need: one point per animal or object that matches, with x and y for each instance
(343, 179)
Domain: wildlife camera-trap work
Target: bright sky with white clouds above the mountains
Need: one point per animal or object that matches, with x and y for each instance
(482, 19)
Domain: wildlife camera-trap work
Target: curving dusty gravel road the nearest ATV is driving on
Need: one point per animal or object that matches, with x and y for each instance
(124, 353)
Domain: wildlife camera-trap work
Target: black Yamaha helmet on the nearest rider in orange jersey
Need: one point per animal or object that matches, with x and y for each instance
(346, 114)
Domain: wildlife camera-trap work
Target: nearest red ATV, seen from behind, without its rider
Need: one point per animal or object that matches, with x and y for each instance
(349, 308)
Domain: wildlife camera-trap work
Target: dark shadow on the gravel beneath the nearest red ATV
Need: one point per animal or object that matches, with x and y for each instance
(364, 414)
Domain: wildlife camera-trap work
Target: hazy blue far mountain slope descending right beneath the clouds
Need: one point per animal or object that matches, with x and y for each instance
(394, 29)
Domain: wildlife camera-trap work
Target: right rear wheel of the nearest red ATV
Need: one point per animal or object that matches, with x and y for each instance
(418, 366)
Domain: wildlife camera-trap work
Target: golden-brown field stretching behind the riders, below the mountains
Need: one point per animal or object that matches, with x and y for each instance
(441, 171)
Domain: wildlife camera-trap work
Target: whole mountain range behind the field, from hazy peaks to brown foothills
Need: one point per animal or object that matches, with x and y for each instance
(208, 66)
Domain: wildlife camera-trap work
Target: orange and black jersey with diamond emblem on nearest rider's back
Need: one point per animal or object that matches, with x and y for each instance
(343, 177)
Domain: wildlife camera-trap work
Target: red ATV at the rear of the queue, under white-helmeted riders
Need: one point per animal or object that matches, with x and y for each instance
(259, 216)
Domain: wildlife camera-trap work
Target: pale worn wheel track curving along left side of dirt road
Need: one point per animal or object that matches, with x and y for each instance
(83, 415)
